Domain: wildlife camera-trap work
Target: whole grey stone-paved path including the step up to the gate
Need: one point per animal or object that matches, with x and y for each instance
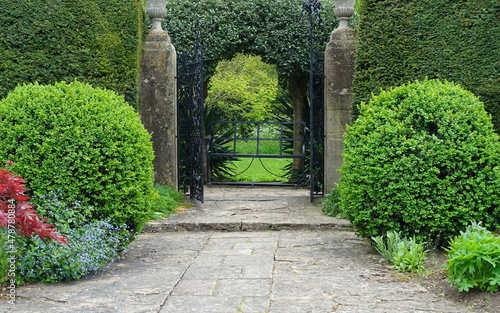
(287, 271)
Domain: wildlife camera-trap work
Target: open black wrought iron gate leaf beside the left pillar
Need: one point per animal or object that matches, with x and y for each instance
(191, 134)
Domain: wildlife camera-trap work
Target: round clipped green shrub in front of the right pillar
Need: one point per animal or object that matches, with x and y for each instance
(423, 160)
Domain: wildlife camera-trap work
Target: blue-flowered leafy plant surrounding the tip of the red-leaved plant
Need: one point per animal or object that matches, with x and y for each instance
(92, 245)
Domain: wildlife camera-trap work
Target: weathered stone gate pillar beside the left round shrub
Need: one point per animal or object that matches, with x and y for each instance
(158, 89)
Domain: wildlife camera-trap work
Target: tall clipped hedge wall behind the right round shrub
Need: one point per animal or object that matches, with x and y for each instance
(406, 40)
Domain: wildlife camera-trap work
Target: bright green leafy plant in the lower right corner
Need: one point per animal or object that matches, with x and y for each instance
(474, 260)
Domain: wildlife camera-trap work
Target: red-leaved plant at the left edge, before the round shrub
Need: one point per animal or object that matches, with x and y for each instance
(16, 212)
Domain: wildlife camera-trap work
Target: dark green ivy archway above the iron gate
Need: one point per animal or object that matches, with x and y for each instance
(277, 31)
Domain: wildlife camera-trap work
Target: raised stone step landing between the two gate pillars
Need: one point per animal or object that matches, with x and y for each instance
(251, 209)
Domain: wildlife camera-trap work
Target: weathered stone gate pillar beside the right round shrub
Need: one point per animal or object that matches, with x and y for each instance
(339, 75)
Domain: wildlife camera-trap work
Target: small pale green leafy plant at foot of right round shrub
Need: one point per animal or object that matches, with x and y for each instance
(406, 254)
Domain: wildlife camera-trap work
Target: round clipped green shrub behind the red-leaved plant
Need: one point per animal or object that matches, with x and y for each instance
(84, 142)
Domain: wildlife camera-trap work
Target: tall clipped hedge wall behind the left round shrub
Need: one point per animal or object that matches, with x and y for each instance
(93, 41)
